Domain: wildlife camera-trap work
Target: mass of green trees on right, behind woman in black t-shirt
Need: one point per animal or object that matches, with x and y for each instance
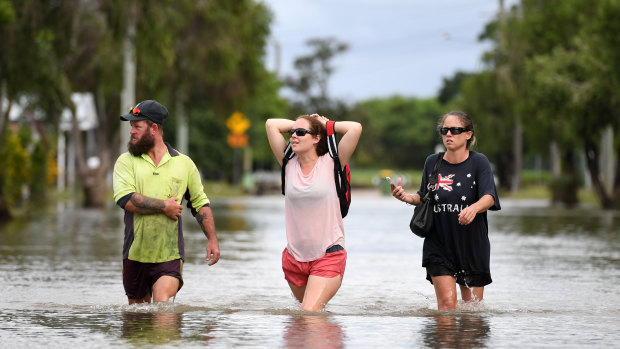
(550, 88)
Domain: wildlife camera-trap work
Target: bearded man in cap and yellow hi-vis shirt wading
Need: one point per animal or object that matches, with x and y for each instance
(150, 182)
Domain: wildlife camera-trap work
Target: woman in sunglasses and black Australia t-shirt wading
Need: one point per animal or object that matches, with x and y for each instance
(458, 248)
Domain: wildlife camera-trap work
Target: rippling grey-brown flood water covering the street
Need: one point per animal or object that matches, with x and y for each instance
(556, 283)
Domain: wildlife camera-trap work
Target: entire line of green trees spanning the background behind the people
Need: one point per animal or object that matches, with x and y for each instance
(547, 89)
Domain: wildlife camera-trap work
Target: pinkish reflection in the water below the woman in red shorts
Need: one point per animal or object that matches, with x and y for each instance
(313, 331)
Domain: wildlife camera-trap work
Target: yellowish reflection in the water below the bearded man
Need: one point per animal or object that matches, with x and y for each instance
(151, 327)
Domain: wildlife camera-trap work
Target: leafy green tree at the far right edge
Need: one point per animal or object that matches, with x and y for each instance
(577, 81)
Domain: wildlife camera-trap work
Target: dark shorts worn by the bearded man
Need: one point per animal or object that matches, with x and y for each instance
(139, 278)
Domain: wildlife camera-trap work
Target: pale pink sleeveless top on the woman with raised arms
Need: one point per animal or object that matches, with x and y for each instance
(312, 210)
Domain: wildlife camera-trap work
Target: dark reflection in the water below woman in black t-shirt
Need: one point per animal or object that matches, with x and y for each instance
(456, 331)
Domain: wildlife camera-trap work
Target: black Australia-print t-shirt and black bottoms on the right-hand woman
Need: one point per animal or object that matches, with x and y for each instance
(463, 248)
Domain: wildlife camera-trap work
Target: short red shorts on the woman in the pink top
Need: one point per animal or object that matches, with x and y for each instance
(328, 266)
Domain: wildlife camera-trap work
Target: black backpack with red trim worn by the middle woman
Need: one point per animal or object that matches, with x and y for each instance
(342, 177)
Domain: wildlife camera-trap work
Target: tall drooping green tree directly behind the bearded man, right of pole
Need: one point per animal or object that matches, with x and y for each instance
(216, 69)
